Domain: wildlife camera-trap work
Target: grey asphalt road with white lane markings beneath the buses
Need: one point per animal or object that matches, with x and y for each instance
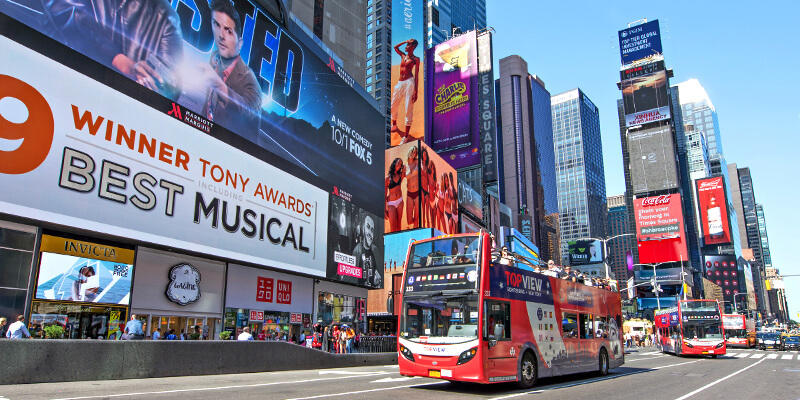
(647, 374)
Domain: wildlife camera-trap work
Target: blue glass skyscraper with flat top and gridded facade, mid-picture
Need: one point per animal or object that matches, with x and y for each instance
(580, 174)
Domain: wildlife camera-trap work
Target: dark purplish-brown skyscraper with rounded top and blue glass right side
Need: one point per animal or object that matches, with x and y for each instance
(526, 158)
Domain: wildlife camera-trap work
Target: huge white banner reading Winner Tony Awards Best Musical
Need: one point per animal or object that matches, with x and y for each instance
(122, 168)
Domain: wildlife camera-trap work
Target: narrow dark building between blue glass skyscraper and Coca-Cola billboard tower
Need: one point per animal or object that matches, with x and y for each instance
(619, 217)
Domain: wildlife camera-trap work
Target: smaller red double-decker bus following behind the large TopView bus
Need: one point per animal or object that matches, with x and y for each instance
(693, 327)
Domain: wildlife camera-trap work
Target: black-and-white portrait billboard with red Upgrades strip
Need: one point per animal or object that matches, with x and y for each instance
(355, 250)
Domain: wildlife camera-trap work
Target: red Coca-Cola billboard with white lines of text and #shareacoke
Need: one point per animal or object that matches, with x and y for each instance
(659, 228)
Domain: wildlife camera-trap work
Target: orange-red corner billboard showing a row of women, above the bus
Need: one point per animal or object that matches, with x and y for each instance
(420, 190)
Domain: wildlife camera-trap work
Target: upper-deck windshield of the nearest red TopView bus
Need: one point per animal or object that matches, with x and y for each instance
(447, 251)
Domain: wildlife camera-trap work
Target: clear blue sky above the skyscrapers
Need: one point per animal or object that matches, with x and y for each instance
(745, 54)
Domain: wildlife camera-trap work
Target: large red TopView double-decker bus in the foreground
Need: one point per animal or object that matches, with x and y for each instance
(468, 317)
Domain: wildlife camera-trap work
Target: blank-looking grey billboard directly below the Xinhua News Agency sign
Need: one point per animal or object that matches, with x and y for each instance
(652, 159)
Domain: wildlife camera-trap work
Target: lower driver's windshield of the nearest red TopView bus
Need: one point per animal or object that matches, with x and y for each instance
(440, 318)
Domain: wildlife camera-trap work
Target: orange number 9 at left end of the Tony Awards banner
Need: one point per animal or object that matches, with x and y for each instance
(34, 134)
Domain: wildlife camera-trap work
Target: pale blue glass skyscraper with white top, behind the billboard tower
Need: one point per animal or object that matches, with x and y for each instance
(699, 112)
